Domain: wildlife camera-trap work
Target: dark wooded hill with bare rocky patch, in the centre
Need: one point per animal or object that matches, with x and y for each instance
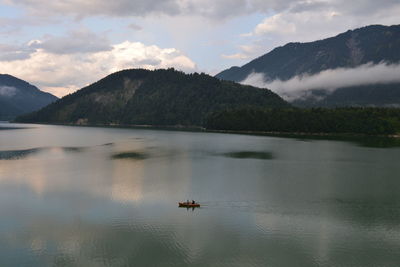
(159, 97)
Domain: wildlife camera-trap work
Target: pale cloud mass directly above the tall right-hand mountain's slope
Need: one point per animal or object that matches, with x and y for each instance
(305, 21)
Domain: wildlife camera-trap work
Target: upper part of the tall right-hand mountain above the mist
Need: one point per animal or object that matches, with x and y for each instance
(374, 43)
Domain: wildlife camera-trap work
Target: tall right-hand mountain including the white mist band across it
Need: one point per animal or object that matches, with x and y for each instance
(359, 65)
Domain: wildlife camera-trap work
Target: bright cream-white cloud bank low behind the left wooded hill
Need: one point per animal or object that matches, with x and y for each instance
(65, 73)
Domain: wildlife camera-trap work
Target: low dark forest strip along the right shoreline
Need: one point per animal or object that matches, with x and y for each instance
(369, 121)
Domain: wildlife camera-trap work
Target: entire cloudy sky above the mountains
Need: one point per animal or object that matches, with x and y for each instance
(62, 46)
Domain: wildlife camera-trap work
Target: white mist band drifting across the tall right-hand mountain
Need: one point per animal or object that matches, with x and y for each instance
(328, 80)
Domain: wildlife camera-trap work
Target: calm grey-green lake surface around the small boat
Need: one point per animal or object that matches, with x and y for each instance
(82, 196)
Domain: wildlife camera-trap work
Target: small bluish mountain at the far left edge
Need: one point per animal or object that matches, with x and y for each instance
(18, 97)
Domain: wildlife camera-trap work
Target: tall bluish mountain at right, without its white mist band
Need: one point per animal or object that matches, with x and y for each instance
(368, 45)
